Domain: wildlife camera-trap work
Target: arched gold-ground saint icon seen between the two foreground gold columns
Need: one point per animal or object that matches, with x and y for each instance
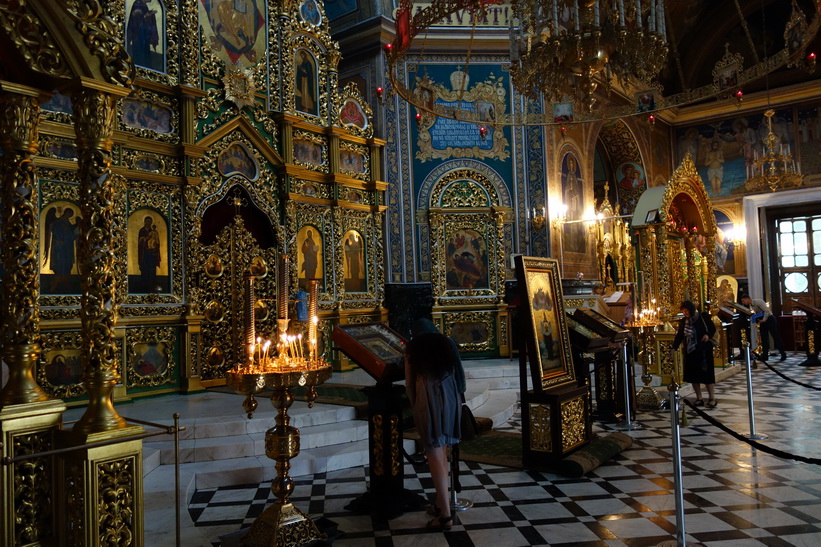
(60, 228)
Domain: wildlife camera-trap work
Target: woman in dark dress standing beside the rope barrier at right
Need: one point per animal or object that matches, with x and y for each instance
(695, 331)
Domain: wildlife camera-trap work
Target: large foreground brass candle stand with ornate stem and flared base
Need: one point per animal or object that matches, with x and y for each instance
(281, 524)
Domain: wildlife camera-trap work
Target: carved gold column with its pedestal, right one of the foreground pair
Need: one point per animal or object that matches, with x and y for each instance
(101, 485)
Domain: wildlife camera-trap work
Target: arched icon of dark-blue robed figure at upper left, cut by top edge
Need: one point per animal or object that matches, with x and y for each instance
(145, 33)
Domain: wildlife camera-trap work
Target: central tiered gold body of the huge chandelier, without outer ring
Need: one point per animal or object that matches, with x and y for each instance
(560, 46)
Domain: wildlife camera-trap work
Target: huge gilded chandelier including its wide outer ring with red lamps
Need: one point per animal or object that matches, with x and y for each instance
(562, 51)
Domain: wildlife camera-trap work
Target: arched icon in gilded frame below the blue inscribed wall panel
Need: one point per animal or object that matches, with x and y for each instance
(466, 261)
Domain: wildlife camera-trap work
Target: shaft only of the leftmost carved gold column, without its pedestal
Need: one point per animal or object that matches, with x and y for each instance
(19, 112)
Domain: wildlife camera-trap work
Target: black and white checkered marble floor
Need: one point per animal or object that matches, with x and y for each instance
(734, 495)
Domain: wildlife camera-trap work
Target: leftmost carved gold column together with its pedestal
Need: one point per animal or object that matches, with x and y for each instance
(28, 417)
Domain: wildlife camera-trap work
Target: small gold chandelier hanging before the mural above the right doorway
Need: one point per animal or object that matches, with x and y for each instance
(775, 167)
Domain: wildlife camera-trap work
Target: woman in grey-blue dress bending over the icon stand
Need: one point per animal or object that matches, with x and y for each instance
(434, 380)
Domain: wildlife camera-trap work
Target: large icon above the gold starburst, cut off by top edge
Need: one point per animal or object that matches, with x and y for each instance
(233, 28)
